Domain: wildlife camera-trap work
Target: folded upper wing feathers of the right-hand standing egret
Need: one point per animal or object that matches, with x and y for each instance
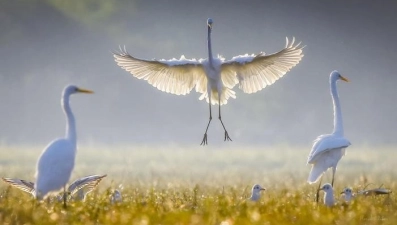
(326, 143)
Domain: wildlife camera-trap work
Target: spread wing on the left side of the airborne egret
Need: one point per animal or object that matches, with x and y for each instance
(171, 76)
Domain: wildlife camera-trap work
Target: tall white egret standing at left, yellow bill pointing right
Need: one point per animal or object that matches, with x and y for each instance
(56, 162)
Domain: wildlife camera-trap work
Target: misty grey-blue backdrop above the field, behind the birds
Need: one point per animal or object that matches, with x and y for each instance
(47, 44)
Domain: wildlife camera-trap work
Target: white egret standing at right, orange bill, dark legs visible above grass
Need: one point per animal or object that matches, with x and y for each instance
(328, 149)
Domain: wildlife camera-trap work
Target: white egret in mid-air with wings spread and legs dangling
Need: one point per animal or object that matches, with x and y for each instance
(213, 77)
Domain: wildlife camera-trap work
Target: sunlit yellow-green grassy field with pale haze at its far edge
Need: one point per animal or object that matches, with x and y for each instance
(196, 185)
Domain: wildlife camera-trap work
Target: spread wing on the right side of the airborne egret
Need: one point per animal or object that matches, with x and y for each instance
(255, 72)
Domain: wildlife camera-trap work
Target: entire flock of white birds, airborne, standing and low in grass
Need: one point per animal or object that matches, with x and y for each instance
(214, 78)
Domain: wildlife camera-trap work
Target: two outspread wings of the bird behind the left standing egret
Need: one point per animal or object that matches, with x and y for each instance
(80, 187)
